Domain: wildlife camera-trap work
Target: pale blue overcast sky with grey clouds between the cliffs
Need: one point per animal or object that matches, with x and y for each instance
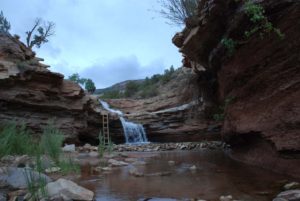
(106, 40)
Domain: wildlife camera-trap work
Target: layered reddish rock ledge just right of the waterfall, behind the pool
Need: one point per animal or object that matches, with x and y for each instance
(176, 115)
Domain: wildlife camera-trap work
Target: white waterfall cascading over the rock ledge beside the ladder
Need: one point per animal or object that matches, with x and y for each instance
(134, 133)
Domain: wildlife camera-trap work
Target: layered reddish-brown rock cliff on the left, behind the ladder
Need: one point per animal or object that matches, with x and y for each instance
(31, 94)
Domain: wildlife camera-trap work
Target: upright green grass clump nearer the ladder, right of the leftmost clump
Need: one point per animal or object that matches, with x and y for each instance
(51, 142)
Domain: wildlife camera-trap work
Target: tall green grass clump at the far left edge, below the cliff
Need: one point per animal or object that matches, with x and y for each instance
(16, 140)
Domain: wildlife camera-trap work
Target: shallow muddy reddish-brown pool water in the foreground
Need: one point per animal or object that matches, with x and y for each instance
(216, 175)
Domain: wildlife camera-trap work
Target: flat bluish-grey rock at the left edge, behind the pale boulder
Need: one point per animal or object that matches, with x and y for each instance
(16, 177)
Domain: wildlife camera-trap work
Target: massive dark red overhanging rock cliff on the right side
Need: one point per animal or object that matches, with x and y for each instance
(263, 76)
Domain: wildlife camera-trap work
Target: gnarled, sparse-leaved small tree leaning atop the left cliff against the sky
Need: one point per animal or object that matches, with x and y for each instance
(42, 31)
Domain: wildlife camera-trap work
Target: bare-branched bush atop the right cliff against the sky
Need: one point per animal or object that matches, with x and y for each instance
(177, 11)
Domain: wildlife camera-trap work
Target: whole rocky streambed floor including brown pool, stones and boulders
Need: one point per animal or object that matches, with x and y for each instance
(171, 171)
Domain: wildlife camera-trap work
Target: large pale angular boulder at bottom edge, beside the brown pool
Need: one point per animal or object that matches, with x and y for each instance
(68, 190)
